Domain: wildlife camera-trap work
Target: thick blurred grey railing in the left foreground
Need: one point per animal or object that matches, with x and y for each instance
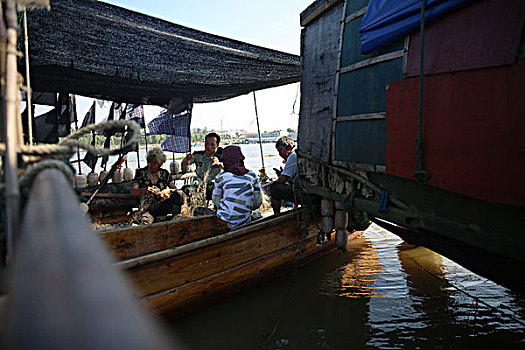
(64, 289)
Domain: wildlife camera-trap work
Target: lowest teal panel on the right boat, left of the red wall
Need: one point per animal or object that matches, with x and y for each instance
(361, 141)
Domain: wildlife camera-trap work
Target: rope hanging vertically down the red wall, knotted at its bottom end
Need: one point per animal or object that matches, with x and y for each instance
(420, 174)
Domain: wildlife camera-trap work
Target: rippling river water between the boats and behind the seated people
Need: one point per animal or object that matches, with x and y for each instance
(381, 293)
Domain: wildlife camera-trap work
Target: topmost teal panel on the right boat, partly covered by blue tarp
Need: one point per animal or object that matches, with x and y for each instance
(351, 52)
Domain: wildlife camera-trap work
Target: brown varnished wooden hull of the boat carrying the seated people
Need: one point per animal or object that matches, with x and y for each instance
(179, 266)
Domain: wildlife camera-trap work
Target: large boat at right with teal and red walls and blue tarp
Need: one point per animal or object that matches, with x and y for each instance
(434, 154)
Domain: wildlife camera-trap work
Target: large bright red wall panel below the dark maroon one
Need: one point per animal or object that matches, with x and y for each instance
(473, 131)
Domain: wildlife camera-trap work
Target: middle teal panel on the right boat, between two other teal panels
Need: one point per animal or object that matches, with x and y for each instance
(364, 90)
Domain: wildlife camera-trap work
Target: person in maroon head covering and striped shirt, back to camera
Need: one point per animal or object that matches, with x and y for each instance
(237, 190)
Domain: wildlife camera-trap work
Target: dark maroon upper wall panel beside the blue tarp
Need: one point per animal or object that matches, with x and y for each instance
(486, 33)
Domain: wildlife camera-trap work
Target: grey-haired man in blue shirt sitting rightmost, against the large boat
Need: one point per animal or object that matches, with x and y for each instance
(282, 188)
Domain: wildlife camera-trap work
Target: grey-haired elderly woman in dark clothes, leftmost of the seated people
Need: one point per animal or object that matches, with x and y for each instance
(159, 193)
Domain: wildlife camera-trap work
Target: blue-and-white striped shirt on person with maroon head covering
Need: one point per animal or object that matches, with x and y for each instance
(237, 197)
